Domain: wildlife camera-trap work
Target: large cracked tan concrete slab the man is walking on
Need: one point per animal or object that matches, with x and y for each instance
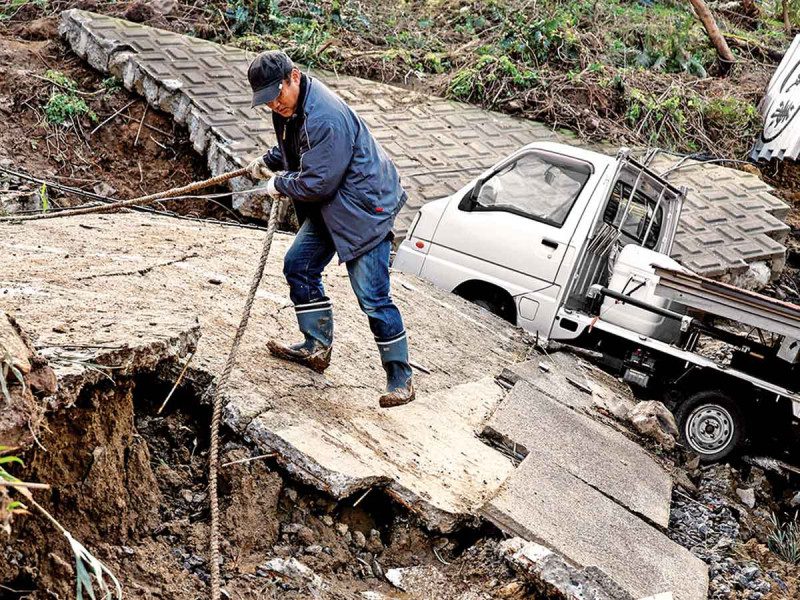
(115, 280)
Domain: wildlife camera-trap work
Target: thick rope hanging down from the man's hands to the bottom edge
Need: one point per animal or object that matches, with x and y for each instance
(219, 394)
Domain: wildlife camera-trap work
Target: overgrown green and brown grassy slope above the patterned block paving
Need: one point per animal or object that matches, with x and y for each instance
(644, 72)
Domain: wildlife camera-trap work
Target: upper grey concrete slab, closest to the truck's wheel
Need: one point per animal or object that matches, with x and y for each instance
(597, 455)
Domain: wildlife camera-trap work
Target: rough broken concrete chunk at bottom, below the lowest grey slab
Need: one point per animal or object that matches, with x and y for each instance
(552, 576)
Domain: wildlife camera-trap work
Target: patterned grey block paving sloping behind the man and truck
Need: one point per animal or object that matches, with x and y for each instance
(730, 218)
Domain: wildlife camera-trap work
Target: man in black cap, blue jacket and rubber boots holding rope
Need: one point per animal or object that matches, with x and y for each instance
(346, 194)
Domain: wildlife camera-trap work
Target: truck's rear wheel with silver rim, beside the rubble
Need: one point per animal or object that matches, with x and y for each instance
(711, 424)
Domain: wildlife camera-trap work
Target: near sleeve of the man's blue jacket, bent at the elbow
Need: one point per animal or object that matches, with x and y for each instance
(322, 166)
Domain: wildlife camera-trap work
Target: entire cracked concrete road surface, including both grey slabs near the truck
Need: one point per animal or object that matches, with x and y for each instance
(131, 281)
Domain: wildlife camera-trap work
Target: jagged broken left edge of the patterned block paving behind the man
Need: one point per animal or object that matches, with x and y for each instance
(118, 59)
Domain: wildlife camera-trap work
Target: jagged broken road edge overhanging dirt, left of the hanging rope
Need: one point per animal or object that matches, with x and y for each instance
(125, 362)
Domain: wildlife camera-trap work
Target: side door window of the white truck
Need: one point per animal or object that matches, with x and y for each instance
(537, 186)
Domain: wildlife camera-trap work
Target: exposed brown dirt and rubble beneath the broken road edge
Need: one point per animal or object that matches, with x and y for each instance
(131, 486)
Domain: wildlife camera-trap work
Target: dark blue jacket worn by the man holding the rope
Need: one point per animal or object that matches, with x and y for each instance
(341, 167)
